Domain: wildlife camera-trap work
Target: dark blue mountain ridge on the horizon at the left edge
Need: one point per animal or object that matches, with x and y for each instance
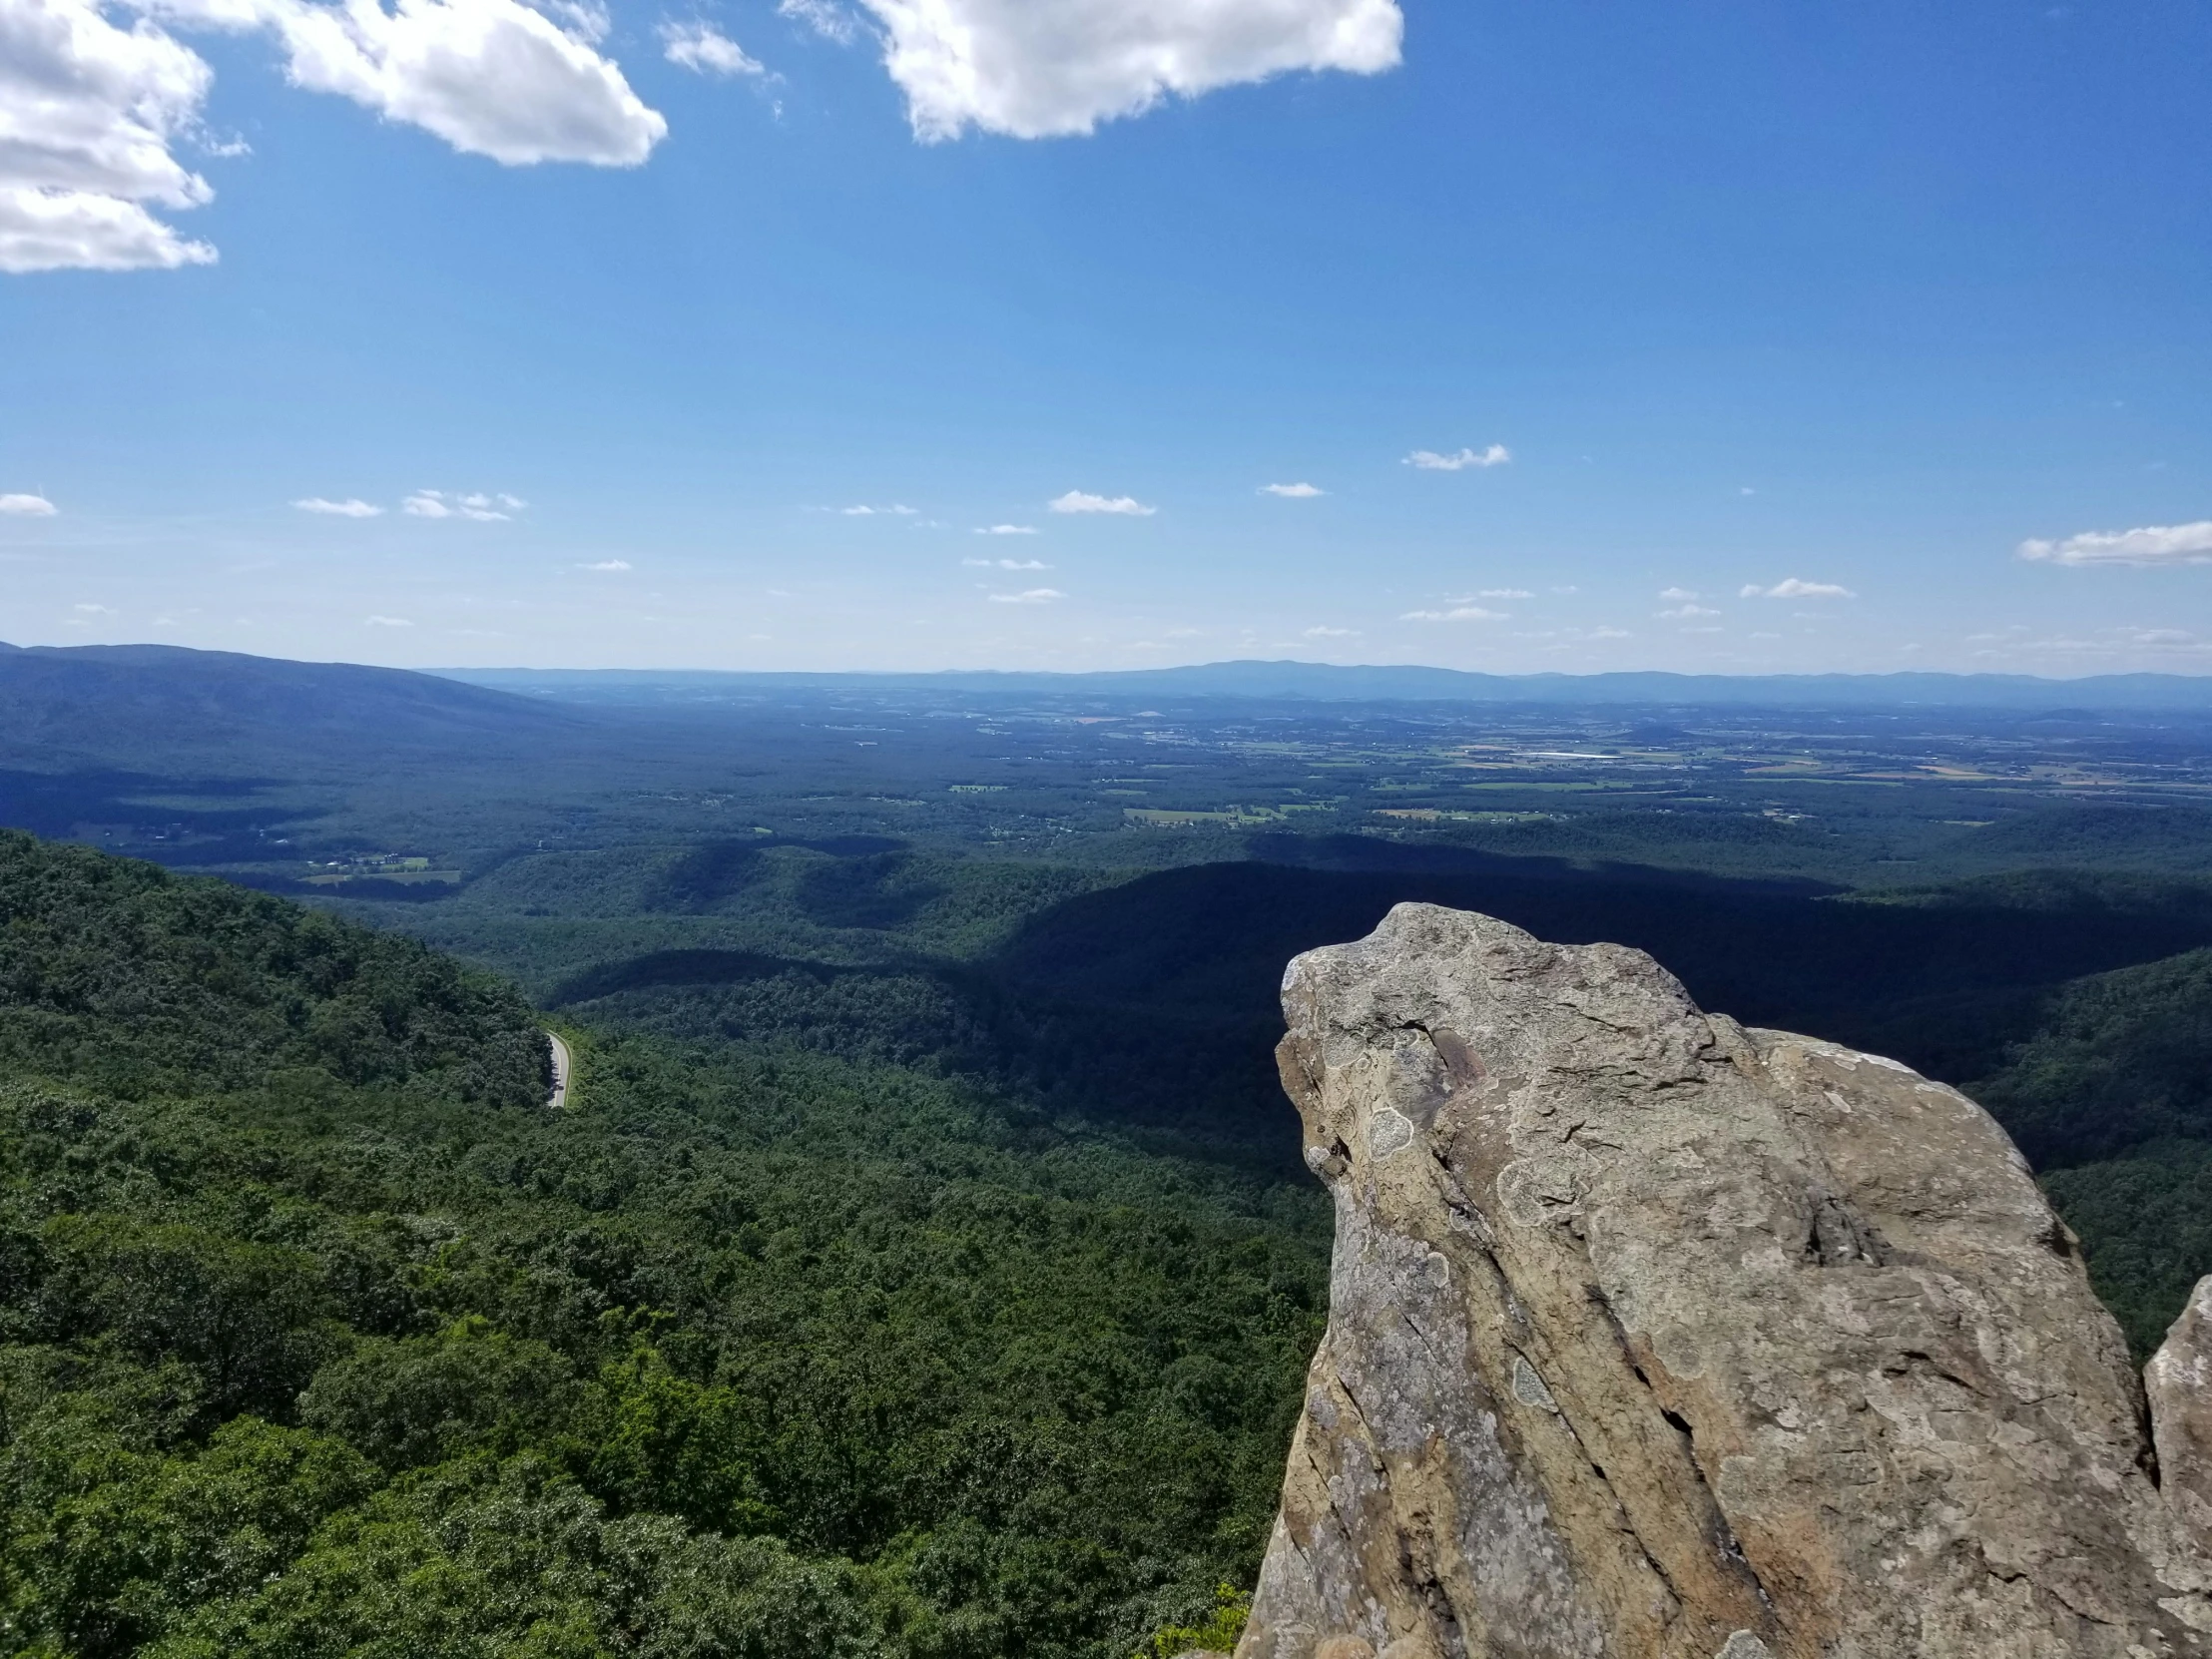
(109, 700)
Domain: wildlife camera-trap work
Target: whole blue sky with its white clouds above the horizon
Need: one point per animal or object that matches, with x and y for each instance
(1764, 337)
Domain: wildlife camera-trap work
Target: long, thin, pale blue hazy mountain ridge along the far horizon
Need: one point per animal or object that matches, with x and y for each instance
(1359, 685)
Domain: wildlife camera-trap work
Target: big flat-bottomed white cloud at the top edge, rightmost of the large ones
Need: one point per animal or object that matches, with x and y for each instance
(1056, 67)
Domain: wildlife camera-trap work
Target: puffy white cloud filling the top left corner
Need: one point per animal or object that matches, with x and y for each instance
(87, 121)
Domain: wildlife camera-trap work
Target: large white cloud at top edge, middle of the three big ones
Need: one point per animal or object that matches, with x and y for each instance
(488, 76)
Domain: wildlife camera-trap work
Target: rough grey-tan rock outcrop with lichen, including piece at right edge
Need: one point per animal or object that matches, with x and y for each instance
(1656, 1337)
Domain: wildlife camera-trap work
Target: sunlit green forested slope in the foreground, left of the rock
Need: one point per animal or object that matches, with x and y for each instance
(320, 1335)
